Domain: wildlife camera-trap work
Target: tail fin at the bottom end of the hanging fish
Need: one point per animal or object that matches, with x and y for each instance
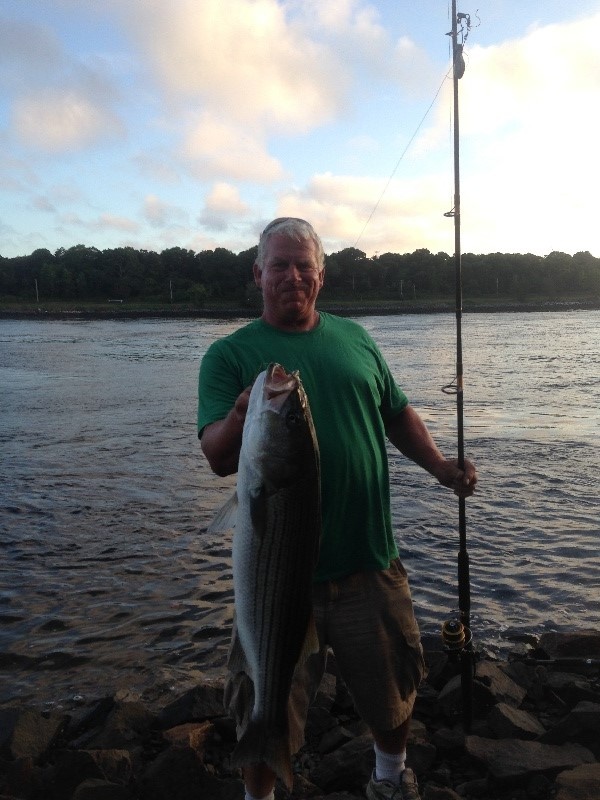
(261, 744)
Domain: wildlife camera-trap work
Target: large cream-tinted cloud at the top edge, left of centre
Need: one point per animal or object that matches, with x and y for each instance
(242, 59)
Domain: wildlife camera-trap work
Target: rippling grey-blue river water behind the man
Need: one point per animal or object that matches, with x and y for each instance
(108, 579)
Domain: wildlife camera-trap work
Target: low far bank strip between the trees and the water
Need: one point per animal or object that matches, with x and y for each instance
(357, 310)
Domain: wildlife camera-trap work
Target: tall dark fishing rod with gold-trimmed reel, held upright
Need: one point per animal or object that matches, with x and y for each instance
(457, 633)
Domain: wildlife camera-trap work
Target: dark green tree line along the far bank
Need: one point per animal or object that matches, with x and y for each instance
(220, 276)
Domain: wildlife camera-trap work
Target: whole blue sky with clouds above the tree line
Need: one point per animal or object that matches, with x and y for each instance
(192, 123)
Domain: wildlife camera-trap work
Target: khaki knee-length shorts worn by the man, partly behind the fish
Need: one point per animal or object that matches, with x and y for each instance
(367, 619)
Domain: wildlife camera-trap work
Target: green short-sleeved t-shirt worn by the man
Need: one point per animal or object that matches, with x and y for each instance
(352, 394)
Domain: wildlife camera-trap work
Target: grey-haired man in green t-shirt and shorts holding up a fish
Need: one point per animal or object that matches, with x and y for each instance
(361, 597)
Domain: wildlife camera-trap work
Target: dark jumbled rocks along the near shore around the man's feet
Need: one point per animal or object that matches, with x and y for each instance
(535, 735)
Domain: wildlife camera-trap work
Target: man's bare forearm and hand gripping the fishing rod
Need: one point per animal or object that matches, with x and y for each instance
(410, 435)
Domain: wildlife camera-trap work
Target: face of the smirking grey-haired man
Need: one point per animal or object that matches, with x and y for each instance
(290, 280)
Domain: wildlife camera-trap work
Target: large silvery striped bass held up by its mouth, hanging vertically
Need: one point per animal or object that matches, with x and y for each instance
(275, 548)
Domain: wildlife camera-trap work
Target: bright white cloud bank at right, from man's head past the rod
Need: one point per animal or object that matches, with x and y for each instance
(530, 123)
